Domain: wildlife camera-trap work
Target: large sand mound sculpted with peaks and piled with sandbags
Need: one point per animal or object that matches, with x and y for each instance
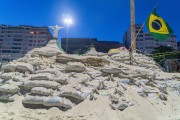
(47, 77)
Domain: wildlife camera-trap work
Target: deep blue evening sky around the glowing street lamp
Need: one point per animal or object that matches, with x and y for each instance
(102, 19)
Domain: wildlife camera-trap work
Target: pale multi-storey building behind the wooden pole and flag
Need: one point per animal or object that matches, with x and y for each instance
(145, 42)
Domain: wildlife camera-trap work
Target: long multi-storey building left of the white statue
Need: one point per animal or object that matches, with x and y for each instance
(16, 41)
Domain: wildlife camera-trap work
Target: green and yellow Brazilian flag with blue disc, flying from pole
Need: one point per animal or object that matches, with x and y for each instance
(158, 27)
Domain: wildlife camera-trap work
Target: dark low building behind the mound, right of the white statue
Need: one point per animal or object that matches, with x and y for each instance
(82, 45)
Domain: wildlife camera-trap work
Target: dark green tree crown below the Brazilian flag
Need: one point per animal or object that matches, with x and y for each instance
(162, 49)
